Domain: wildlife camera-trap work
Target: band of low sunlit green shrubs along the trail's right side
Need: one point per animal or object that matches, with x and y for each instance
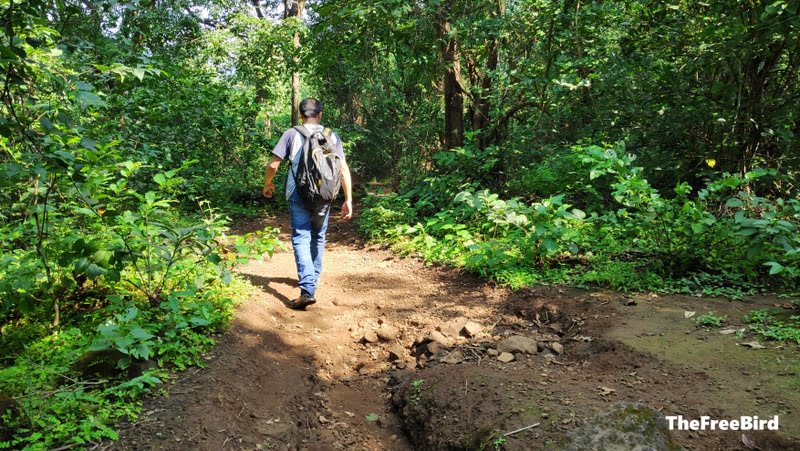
(691, 243)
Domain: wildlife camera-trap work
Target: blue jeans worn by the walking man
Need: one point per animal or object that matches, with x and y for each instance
(308, 241)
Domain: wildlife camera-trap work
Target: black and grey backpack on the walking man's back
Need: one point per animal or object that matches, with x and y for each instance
(317, 176)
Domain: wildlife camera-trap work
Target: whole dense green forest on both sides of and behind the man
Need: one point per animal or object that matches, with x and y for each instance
(641, 145)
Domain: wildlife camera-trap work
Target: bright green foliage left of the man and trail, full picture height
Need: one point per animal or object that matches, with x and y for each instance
(120, 146)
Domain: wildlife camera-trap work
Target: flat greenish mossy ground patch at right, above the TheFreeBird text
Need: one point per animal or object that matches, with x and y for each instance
(763, 382)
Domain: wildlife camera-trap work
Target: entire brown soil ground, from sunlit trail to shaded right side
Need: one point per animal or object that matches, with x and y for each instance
(280, 379)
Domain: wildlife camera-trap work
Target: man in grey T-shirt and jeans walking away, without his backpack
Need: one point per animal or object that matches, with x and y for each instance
(309, 224)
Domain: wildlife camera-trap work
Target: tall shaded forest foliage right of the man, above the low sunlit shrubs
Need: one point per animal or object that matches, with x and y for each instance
(681, 83)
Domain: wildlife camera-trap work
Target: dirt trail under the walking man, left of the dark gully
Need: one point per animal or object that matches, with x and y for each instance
(277, 371)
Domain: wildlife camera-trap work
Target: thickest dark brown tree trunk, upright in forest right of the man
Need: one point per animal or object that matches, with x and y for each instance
(453, 96)
